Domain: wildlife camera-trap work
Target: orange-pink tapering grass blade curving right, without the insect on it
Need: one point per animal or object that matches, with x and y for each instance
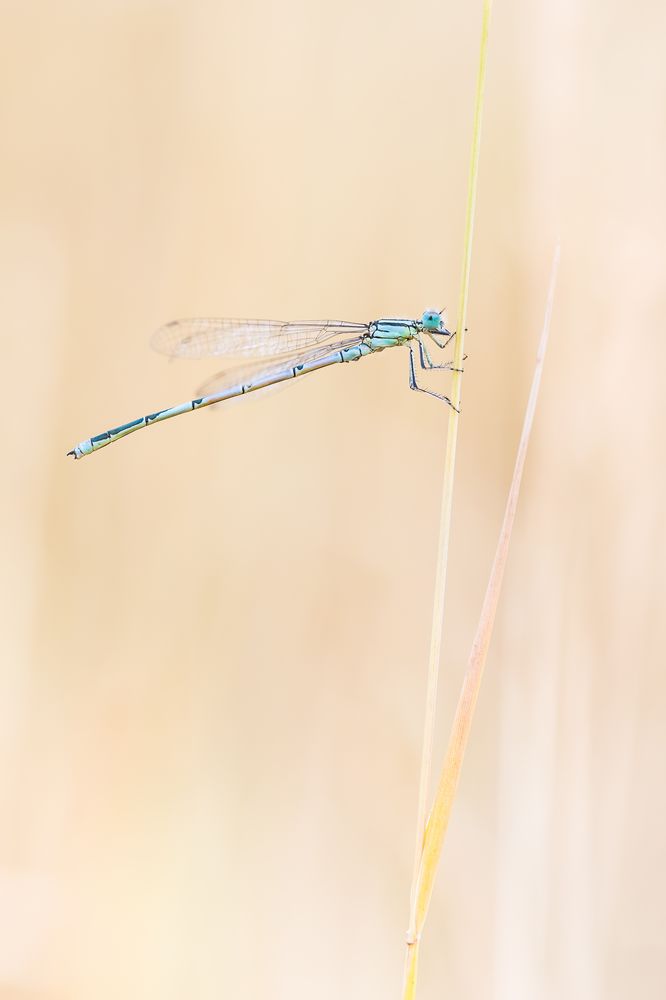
(439, 817)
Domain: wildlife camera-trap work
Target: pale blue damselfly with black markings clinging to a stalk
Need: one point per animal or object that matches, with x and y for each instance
(285, 351)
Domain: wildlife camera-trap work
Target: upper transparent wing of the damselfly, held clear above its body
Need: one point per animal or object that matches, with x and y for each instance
(209, 338)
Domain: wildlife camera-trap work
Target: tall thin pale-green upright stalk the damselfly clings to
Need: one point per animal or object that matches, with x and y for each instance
(449, 472)
